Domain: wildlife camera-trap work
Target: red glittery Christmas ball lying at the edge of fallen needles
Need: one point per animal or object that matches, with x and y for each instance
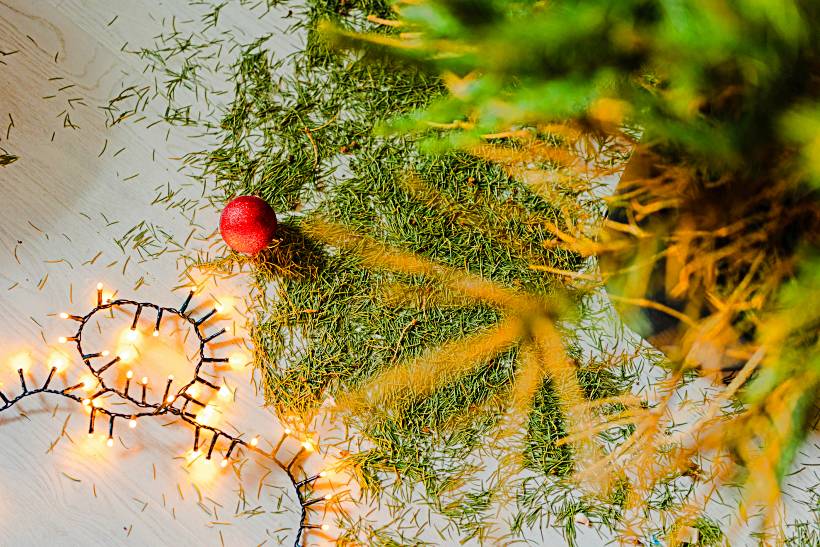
(247, 224)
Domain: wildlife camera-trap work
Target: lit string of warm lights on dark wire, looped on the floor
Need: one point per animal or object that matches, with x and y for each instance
(175, 402)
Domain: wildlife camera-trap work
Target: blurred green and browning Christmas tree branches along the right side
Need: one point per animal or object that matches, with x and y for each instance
(710, 247)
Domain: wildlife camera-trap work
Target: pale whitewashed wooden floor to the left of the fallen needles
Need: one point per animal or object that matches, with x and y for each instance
(71, 194)
